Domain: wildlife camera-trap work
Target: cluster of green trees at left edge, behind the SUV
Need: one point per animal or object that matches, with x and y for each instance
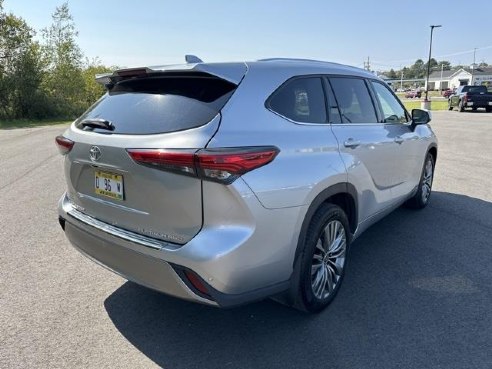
(48, 79)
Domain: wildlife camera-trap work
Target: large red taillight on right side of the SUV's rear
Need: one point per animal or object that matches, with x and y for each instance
(218, 165)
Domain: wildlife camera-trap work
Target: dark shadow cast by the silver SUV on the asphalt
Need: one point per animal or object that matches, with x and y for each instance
(416, 294)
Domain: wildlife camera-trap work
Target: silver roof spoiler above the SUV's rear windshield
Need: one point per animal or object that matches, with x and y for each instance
(231, 72)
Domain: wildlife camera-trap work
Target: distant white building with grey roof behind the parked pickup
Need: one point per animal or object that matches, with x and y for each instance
(458, 77)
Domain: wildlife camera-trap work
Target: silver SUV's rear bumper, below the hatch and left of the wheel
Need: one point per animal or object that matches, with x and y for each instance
(214, 256)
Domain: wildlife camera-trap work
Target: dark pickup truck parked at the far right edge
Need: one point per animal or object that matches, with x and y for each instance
(471, 97)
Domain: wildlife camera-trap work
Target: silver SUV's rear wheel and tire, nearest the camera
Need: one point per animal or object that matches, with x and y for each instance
(321, 265)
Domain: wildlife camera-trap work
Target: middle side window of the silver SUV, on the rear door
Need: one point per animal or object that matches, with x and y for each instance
(354, 101)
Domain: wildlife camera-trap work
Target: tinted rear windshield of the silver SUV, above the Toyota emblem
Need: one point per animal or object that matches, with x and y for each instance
(160, 104)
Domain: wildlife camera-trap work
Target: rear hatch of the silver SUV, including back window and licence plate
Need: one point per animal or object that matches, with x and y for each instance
(174, 112)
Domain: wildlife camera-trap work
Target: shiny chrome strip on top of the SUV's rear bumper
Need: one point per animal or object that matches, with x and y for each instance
(149, 242)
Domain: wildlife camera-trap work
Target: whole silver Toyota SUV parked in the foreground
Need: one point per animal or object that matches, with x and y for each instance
(225, 183)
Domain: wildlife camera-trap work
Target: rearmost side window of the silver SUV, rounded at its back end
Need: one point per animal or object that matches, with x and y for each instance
(301, 100)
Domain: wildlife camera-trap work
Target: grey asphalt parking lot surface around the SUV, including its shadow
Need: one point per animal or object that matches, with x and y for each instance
(417, 294)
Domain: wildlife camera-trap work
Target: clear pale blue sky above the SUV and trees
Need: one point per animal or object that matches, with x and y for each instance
(392, 33)
